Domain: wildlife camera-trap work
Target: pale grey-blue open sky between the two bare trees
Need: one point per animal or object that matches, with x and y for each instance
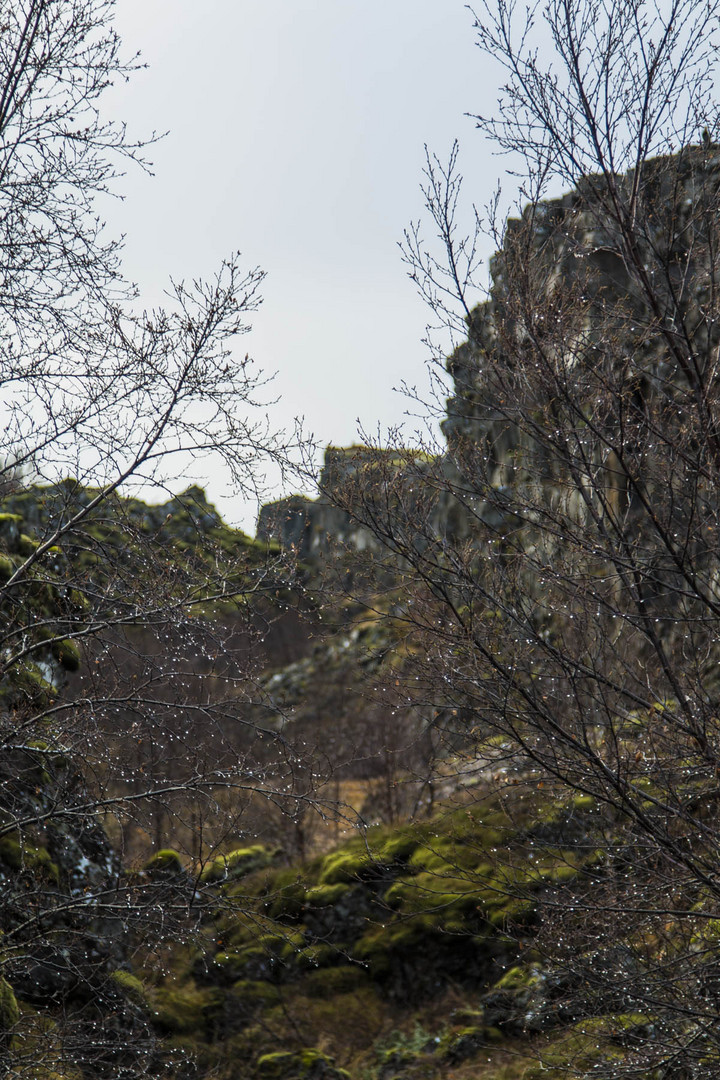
(296, 134)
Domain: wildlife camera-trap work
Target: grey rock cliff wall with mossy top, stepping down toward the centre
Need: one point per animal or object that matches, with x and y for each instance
(562, 254)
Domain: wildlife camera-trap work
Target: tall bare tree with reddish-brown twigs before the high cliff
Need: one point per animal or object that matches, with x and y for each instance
(565, 550)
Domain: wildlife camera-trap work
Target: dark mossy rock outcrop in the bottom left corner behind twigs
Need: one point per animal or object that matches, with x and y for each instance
(65, 952)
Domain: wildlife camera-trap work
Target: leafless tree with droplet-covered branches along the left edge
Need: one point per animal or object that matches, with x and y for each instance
(129, 632)
